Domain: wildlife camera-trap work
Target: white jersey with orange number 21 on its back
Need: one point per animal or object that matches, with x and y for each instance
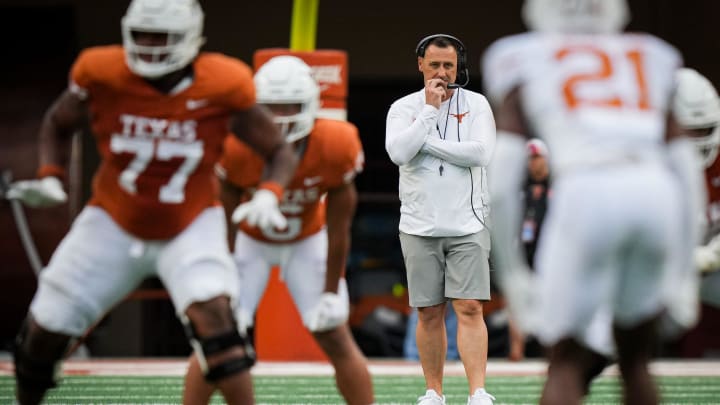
(593, 98)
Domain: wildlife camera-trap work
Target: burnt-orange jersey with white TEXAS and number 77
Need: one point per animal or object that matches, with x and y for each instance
(158, 150)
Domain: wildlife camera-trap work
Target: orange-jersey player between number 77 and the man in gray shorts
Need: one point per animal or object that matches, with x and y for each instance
(319, 204)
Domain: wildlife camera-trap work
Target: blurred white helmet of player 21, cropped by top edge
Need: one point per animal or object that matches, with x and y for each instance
(576, 16)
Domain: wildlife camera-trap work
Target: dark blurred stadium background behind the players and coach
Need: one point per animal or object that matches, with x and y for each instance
(41, 38)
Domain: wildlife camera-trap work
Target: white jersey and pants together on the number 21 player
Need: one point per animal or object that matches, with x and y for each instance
(612, 242)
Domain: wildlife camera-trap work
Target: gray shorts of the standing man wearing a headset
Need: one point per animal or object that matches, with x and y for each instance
(442, 268)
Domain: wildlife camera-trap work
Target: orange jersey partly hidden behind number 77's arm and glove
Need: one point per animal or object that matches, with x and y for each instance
(333, 157)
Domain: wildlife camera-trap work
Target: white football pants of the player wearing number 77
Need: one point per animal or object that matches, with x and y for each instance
(97, 264)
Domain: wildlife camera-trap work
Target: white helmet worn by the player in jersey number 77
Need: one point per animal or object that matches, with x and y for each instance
(181, 20)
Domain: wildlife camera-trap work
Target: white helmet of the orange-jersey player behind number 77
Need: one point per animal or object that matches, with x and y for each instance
(288, 80)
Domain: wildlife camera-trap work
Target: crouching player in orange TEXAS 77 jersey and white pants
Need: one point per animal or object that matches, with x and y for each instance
(159, 111)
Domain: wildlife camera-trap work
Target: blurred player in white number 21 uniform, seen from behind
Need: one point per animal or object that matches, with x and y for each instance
(626, 183)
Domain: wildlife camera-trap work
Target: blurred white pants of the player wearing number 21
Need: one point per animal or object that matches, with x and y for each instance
(612, 241)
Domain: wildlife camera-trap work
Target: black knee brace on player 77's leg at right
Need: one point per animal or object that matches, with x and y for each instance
(207, 346)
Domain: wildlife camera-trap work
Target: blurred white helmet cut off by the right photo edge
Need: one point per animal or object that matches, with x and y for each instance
(696, 106)
